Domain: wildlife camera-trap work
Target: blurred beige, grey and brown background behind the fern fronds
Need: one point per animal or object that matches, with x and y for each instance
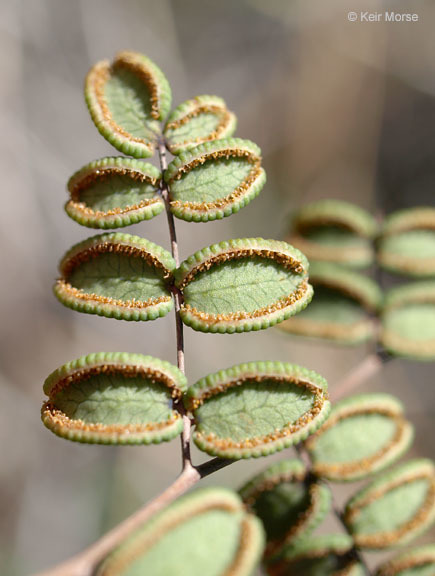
(340, 109)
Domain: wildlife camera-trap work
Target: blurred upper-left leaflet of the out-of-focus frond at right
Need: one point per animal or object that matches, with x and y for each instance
(334, 231)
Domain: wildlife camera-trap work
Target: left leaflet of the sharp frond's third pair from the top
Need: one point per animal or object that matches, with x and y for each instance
(117, 276)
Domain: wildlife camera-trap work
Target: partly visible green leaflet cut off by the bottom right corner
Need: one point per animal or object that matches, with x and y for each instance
(415, 562)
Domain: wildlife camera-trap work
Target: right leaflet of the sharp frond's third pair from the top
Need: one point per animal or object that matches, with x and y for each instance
(243, 285)
